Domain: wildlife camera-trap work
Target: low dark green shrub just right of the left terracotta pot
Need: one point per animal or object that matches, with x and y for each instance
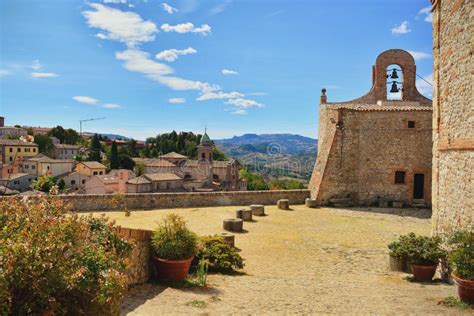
(220, 256)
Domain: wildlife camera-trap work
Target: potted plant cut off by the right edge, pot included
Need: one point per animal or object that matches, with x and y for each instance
(461, 258)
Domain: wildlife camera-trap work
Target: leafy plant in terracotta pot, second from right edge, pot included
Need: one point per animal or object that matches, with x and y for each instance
(423, 254)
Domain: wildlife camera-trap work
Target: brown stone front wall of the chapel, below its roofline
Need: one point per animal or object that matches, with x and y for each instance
(367, 149)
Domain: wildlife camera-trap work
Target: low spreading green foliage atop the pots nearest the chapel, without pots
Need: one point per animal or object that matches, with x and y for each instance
(419, 250)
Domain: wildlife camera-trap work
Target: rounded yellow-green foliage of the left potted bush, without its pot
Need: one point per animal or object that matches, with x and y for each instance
(173, 241)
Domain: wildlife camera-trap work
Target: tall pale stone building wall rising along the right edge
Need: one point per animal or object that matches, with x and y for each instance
(453, 115)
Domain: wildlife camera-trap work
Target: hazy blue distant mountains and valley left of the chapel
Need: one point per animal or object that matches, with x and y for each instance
(273, 155)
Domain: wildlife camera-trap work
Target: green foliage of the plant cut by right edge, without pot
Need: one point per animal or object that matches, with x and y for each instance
(461, 257)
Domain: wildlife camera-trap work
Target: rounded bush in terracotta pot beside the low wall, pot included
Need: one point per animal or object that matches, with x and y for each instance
(174, 248)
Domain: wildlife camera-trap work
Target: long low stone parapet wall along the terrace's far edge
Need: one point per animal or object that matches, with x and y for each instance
(137, 201)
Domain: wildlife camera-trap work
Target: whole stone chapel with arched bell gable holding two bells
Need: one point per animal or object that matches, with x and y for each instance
(376, 149)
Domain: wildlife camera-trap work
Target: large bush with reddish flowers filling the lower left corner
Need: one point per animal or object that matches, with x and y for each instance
(52, 260)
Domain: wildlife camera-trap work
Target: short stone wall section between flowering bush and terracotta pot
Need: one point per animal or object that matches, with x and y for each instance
(139, 263)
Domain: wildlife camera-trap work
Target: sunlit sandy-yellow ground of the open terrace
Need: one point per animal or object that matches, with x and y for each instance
(303, 261)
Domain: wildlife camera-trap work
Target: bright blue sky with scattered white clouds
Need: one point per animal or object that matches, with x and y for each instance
(253, 66)
